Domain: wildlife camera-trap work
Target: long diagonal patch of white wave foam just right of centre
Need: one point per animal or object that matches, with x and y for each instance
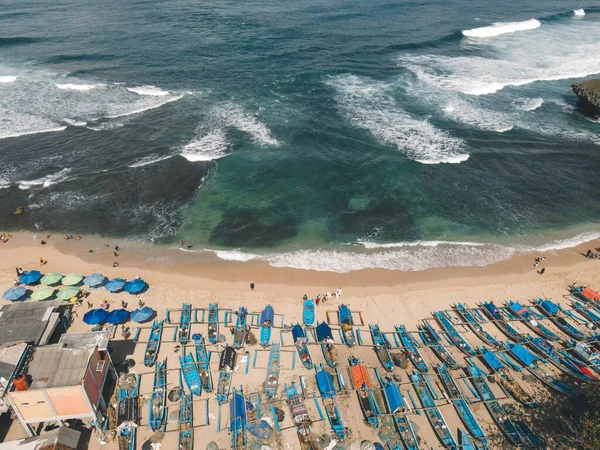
(366, 104)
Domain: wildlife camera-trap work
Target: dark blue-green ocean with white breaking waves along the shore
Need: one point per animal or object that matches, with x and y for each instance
(317, 135)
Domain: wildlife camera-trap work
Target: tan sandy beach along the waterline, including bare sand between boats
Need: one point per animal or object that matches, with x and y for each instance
(385, 297)
